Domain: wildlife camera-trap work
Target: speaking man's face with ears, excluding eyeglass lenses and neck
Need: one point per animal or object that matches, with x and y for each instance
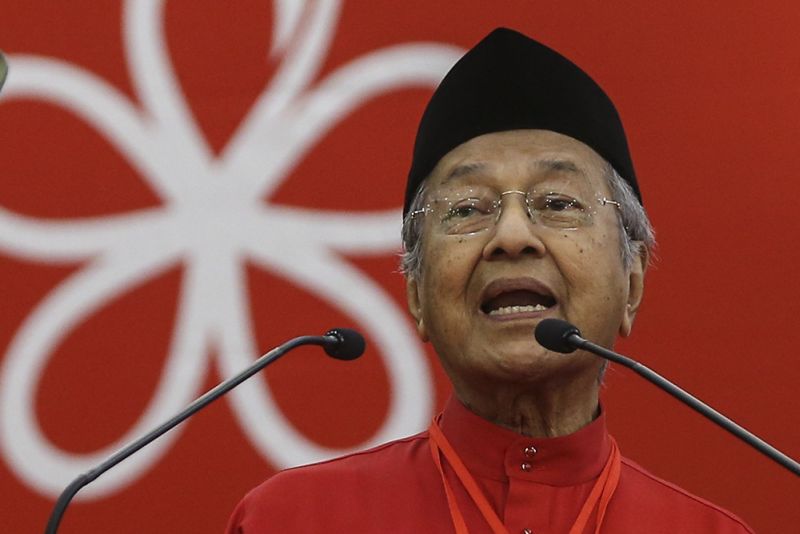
(464, 301)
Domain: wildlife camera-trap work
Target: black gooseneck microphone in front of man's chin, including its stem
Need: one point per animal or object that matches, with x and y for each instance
(560, 336)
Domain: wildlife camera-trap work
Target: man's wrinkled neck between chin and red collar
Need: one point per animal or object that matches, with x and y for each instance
(548, 410)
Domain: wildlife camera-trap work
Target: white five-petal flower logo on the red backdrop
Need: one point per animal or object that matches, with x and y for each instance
(212, 218)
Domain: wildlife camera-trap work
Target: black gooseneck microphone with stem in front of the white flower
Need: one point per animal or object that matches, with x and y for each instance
(339, 343)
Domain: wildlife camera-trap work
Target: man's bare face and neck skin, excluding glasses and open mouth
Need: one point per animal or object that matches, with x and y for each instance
(496, 366)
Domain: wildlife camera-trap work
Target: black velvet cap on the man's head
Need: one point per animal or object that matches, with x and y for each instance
(511, 82)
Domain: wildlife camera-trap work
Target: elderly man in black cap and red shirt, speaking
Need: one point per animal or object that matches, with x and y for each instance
(522, 204)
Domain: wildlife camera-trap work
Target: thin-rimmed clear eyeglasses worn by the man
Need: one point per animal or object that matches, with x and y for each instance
(475, 209)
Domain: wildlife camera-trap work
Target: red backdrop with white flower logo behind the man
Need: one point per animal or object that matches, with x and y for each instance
(186, 184)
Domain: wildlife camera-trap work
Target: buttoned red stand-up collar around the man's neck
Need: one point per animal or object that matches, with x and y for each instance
(495, 452)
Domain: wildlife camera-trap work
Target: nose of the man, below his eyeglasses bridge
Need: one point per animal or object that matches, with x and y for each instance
(515, 234)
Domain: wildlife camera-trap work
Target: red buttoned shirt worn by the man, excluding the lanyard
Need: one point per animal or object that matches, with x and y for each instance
(396, 488)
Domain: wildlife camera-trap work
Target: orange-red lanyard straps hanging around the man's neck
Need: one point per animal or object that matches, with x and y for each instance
(599, 497)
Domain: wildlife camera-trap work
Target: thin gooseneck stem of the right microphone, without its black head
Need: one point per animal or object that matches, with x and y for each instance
(685, 397)
